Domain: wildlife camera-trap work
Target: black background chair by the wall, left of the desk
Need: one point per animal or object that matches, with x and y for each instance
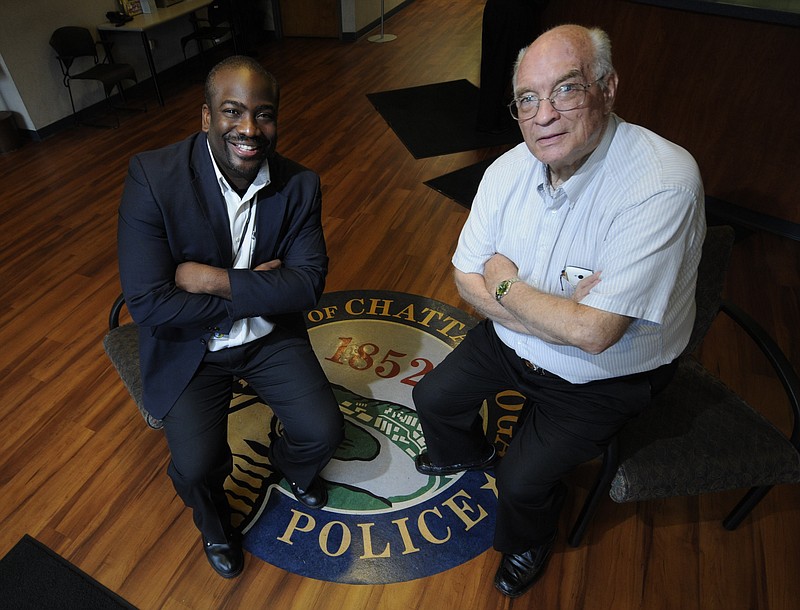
(73, 43)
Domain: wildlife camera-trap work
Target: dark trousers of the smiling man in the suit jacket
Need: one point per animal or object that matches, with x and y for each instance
(284, 371)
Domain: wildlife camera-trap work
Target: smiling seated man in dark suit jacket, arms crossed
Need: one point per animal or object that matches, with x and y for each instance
(220, 250)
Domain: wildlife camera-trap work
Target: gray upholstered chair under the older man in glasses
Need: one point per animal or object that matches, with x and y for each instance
(698, 436)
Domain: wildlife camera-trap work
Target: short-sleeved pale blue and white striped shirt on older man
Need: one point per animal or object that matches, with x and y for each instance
(634, 210)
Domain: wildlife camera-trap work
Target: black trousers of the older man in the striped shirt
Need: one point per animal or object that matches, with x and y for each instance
(565, 425)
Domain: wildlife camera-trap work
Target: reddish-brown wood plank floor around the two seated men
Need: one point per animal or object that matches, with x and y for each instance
(80, 472)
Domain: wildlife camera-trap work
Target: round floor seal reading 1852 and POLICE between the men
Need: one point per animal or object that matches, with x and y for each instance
(384, 522)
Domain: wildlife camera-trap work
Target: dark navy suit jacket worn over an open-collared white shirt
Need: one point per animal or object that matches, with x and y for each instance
(173, 211)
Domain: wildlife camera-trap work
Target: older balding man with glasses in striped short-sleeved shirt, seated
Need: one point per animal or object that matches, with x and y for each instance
(581, 251)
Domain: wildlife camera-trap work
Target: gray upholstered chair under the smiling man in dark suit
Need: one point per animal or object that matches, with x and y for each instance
(122, 347)
